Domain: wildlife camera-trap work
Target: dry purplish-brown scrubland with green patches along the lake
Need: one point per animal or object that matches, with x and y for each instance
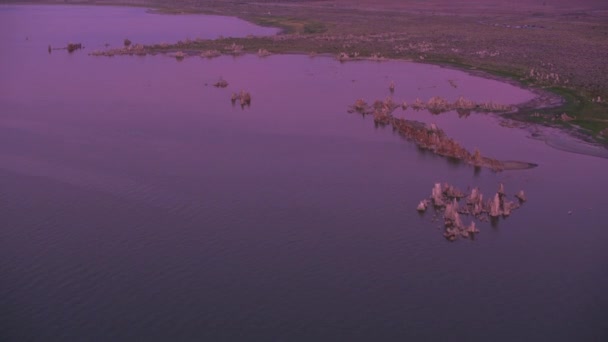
(556, 44)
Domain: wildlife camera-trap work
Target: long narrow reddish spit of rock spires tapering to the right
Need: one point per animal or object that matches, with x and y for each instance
(428, 137)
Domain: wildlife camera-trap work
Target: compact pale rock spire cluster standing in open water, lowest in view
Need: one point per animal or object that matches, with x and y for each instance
(445, 198)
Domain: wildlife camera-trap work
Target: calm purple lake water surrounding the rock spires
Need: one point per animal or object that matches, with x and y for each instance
(136, 203)
